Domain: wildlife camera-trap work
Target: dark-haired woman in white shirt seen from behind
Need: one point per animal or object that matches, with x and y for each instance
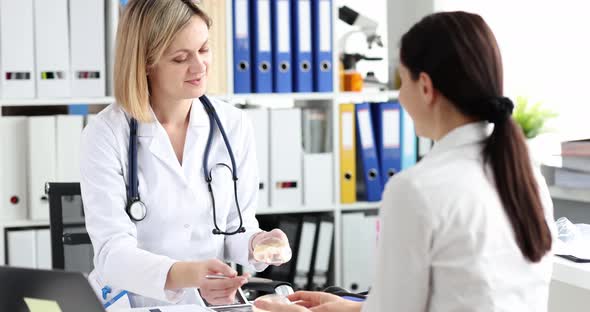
(466, 229)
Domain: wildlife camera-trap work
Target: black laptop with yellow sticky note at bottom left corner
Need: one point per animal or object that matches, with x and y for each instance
(69, 290)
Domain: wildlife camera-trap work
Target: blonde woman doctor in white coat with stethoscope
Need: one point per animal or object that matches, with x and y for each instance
(169, 177)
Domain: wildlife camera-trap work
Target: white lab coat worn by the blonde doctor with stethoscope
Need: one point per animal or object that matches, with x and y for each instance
(136, 256)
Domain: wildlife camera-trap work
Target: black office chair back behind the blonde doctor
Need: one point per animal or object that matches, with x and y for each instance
(71, 249)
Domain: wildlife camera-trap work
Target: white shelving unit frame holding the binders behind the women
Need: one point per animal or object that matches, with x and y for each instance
(330, 100)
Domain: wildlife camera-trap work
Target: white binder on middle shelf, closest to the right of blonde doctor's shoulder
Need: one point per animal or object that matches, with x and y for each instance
(260, 120)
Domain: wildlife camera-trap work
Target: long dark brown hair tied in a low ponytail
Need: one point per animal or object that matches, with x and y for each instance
(460, 54)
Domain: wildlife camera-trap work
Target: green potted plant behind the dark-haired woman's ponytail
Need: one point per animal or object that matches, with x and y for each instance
(532, 119)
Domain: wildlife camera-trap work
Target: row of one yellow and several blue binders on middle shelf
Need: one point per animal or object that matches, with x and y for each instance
(377, 141)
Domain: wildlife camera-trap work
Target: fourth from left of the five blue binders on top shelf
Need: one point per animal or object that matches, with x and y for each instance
(301, 46)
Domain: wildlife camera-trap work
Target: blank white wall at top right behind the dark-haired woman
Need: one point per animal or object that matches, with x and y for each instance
(545, 47)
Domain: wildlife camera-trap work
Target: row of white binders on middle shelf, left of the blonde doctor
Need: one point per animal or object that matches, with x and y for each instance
(36, 150)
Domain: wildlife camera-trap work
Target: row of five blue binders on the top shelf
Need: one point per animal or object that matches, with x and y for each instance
(282, 46)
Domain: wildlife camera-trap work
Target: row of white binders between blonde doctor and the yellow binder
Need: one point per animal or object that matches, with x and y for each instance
(294, 157)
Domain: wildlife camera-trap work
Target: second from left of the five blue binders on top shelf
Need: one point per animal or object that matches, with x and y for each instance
(260, 30)
